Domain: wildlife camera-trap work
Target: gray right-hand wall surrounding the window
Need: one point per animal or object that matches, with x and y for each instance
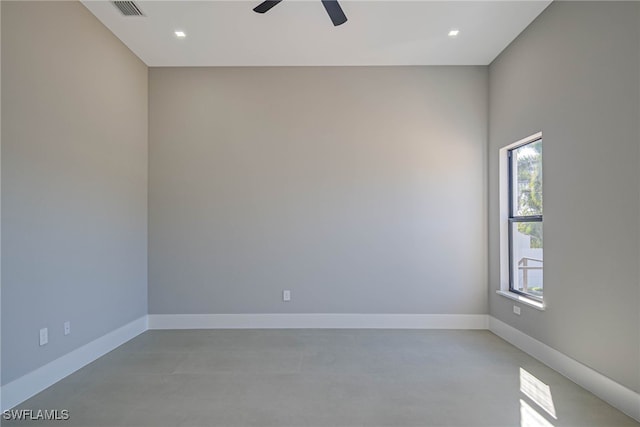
(573, 74)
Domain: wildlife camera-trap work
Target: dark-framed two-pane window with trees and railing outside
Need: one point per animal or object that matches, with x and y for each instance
(524, 174)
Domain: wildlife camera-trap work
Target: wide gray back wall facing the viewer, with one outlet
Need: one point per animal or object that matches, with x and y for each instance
(360, 189)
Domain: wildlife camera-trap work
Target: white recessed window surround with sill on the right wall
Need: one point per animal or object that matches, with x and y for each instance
(504, 226)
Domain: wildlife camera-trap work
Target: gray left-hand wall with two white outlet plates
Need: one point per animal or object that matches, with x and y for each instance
(74, 182)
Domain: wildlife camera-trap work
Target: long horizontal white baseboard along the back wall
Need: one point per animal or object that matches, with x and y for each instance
(318, 321)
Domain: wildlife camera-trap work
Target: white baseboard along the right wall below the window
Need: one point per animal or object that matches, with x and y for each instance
(617, 395)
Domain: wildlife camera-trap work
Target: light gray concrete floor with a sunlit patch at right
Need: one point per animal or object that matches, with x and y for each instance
(321, 378)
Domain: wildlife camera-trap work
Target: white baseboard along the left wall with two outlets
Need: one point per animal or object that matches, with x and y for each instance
(34, 382)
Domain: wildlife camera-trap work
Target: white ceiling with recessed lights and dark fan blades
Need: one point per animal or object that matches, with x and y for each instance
(295, 32)
